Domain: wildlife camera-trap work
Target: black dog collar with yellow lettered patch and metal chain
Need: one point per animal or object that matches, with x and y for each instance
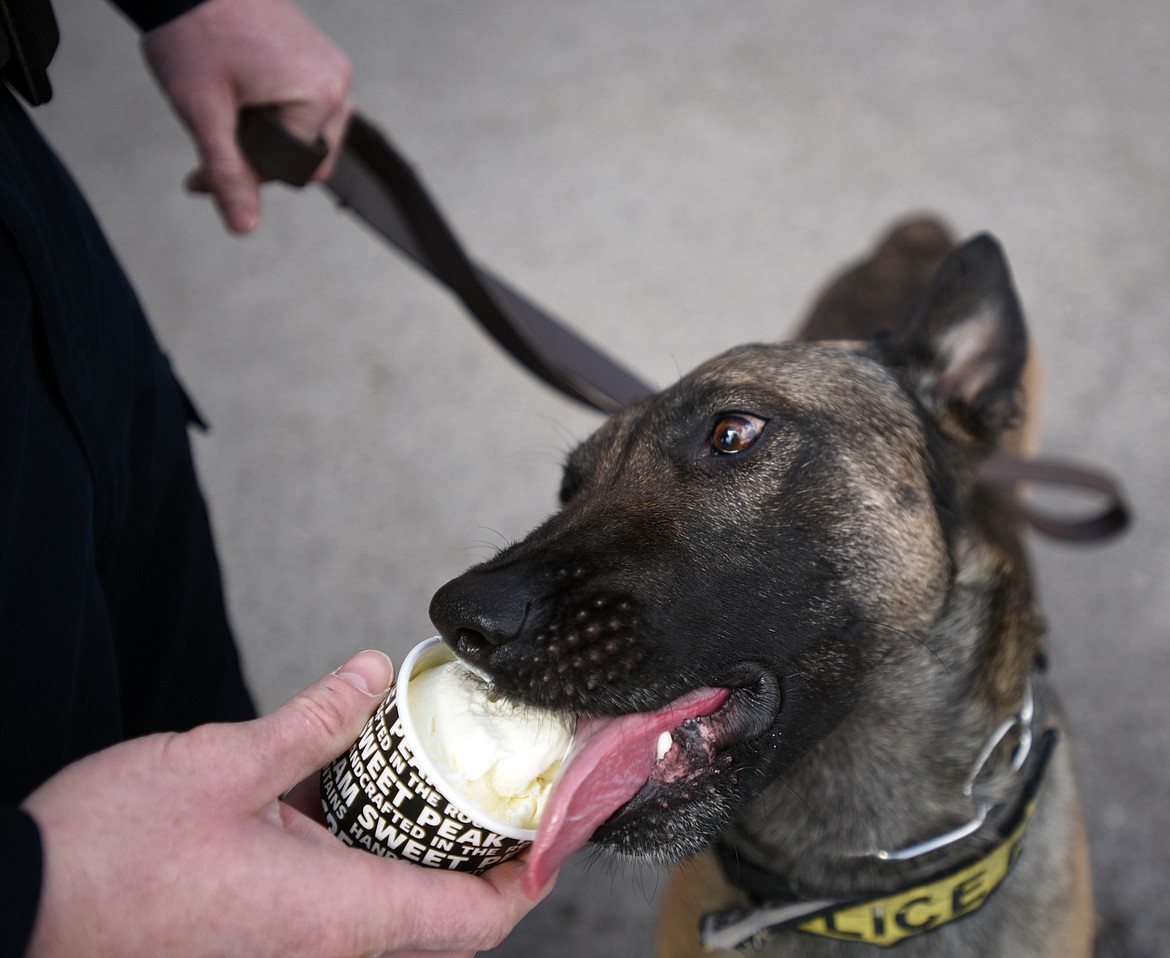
(951, 892)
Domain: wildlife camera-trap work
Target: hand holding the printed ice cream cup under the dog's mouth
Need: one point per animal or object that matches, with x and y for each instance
(177, 845)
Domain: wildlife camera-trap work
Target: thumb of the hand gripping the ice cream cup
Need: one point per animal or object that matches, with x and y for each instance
(316, 726)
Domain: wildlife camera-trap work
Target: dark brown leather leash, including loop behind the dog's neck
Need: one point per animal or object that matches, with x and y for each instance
(377, 183)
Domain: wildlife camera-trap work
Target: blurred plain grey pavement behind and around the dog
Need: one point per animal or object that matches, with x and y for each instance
(676, 180)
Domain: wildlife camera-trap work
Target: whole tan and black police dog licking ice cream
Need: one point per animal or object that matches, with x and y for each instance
(803, 642)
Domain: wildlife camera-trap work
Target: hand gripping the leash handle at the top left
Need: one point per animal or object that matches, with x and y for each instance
(224, 56)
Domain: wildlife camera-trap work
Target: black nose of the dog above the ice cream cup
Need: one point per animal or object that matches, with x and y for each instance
(479, 612)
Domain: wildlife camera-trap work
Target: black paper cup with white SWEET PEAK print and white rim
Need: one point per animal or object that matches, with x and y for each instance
(386, 796)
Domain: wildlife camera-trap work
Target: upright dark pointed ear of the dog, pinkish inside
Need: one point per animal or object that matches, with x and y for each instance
(965, 348)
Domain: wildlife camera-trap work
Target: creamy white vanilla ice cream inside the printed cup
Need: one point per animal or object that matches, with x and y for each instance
(503, 757)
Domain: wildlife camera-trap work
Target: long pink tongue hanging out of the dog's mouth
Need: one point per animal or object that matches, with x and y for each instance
(610, 761)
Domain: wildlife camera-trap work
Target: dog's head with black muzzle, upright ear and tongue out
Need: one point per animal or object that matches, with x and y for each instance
(731, 554)
